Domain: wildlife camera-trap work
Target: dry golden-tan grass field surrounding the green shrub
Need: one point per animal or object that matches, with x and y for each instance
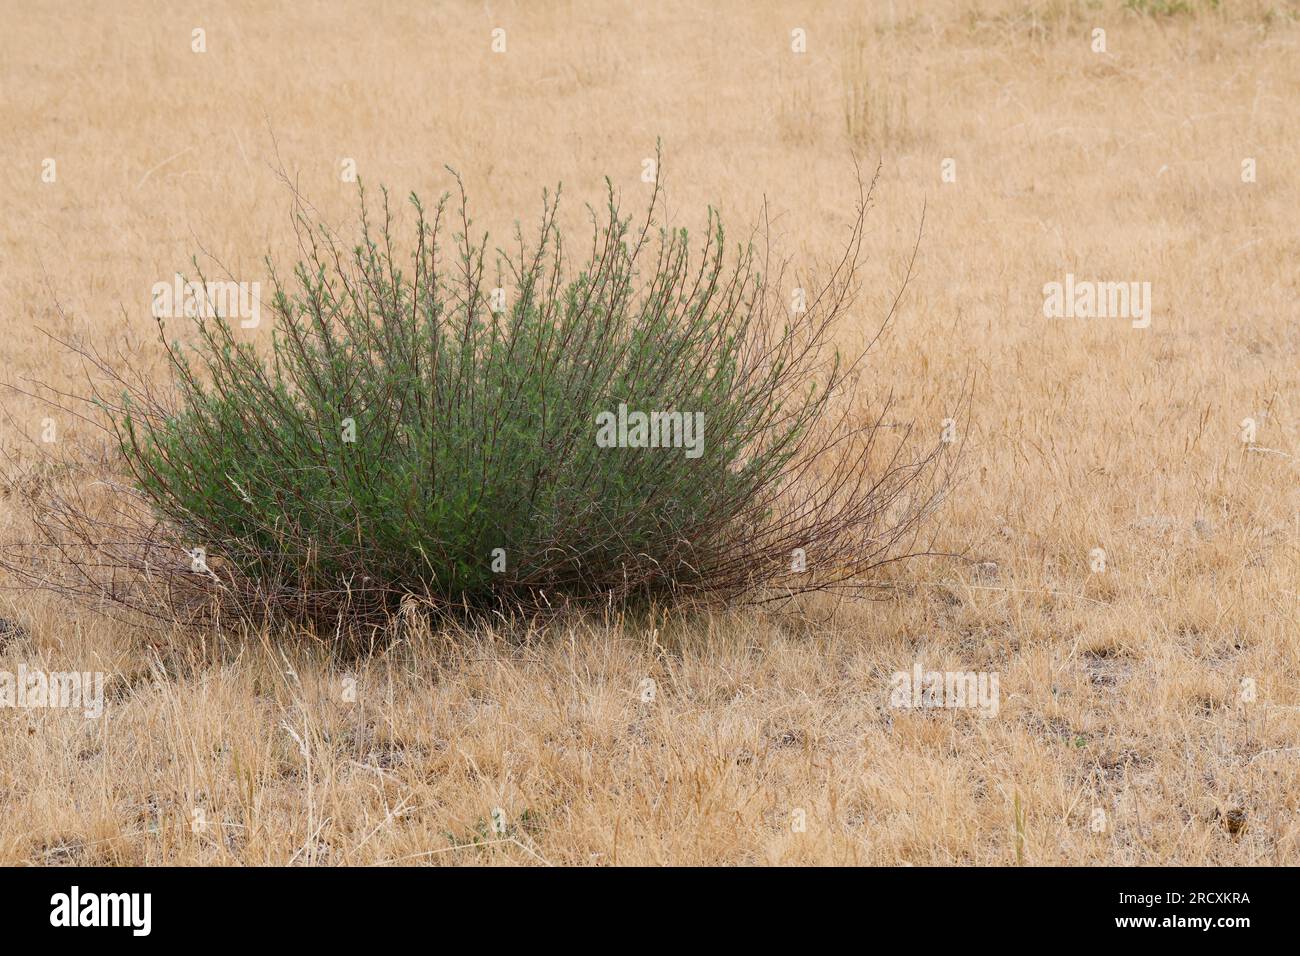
(1159, 690)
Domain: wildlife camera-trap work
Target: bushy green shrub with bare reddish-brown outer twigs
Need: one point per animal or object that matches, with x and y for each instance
(424, 427)
